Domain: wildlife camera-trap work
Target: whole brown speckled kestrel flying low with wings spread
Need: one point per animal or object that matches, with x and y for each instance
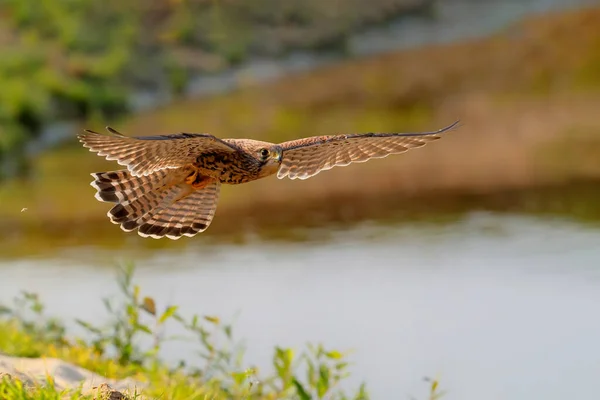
(170, 186)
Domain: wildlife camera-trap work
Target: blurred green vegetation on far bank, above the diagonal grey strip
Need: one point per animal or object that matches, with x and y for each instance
(82, 59)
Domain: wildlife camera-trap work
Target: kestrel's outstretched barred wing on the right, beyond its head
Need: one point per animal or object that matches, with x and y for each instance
(304, 158)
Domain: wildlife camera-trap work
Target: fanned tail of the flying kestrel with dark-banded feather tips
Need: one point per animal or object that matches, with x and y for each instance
(158, 205)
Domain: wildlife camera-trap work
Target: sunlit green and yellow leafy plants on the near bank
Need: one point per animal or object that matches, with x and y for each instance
(116, 350)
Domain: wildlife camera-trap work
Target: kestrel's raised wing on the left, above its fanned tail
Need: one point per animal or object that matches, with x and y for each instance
(144, 155)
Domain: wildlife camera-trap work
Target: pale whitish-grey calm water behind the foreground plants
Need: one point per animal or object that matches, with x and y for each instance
(498, 307)
